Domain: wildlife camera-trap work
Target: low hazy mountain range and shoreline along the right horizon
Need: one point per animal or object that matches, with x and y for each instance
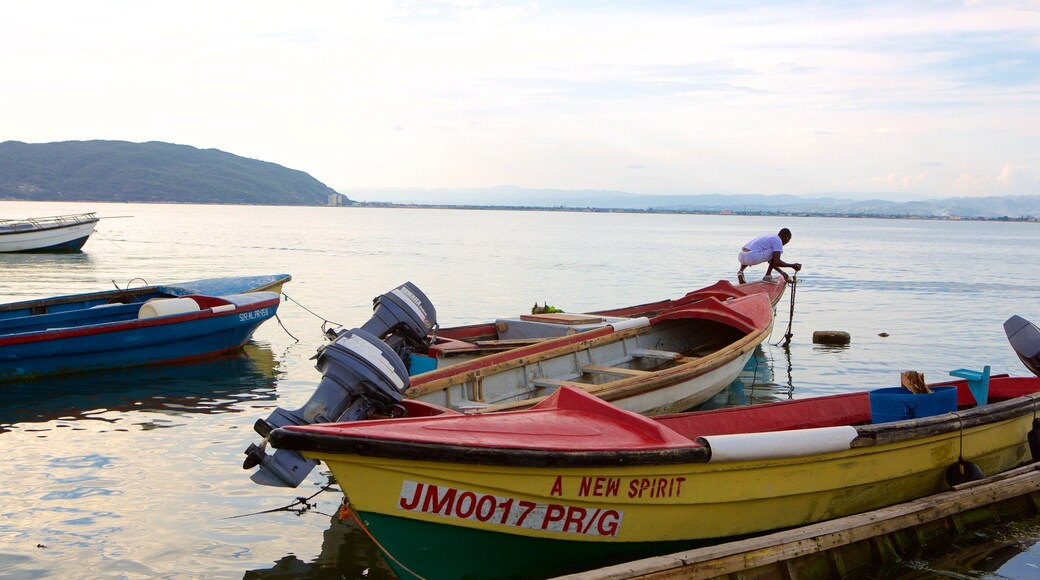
(996, 207)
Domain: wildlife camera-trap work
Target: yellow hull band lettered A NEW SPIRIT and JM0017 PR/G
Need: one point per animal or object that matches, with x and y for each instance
(679, 503)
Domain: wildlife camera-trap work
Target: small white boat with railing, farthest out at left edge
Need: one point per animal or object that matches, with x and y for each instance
(57, 233)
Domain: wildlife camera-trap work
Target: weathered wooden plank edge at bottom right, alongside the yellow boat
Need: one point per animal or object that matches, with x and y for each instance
(851, 545)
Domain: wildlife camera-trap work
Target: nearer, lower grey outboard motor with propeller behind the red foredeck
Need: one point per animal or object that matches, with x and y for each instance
(361, 376)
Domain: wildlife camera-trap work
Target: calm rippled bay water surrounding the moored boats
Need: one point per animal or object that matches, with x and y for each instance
(137, 474)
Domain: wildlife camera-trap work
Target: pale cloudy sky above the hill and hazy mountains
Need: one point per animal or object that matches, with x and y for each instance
(852, 99)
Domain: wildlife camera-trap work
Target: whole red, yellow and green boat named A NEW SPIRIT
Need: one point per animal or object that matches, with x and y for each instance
(576, 484)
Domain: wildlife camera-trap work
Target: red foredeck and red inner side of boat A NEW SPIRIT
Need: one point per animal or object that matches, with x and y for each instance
(573, 429)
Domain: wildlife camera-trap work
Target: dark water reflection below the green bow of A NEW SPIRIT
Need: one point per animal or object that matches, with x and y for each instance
(347, 552)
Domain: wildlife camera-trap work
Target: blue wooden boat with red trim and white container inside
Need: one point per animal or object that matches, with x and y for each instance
(151, 325)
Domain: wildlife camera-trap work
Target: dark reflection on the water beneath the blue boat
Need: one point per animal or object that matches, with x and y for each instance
(212, 386)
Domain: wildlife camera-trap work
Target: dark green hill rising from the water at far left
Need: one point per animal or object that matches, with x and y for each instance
(152, 172)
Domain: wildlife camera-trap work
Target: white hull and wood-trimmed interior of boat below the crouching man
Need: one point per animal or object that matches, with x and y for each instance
(653, 371)
